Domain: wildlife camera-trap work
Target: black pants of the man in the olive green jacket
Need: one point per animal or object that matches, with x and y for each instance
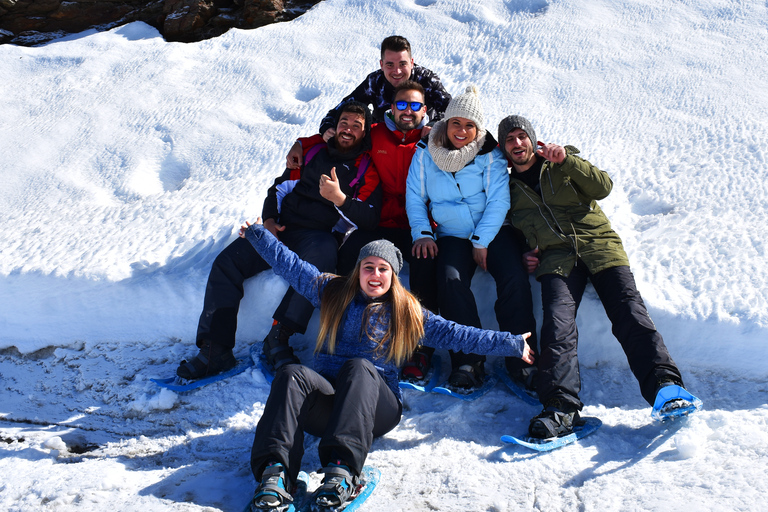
(648, 358)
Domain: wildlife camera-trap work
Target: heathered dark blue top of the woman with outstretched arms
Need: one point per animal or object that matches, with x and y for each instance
(352, 341)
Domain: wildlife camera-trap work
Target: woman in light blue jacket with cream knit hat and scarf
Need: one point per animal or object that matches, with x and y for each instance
(457, 197)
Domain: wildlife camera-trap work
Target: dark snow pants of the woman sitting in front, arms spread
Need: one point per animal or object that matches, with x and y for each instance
(345, 413)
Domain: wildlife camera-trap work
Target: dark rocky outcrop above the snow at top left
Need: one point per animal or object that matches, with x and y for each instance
(32, 22)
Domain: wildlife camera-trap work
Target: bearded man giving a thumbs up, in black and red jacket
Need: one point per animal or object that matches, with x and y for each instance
(336, 191)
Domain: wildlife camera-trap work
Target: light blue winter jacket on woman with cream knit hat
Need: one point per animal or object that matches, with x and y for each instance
(470, 204)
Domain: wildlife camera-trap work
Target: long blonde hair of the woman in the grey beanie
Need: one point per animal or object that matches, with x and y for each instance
(406, 321)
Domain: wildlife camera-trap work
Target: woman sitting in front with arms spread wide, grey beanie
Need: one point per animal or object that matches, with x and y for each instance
(369, 325)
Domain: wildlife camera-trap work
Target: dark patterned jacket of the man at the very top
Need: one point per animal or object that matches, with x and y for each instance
(378, 92)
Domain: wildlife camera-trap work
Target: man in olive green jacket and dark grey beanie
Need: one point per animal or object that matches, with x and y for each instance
(553, 202)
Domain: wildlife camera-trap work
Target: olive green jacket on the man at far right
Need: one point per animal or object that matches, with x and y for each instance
(565, 221)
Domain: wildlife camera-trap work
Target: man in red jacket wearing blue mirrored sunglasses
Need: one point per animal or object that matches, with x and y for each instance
(393, 145)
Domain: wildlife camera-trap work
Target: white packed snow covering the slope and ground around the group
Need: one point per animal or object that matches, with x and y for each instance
(128, 163)
